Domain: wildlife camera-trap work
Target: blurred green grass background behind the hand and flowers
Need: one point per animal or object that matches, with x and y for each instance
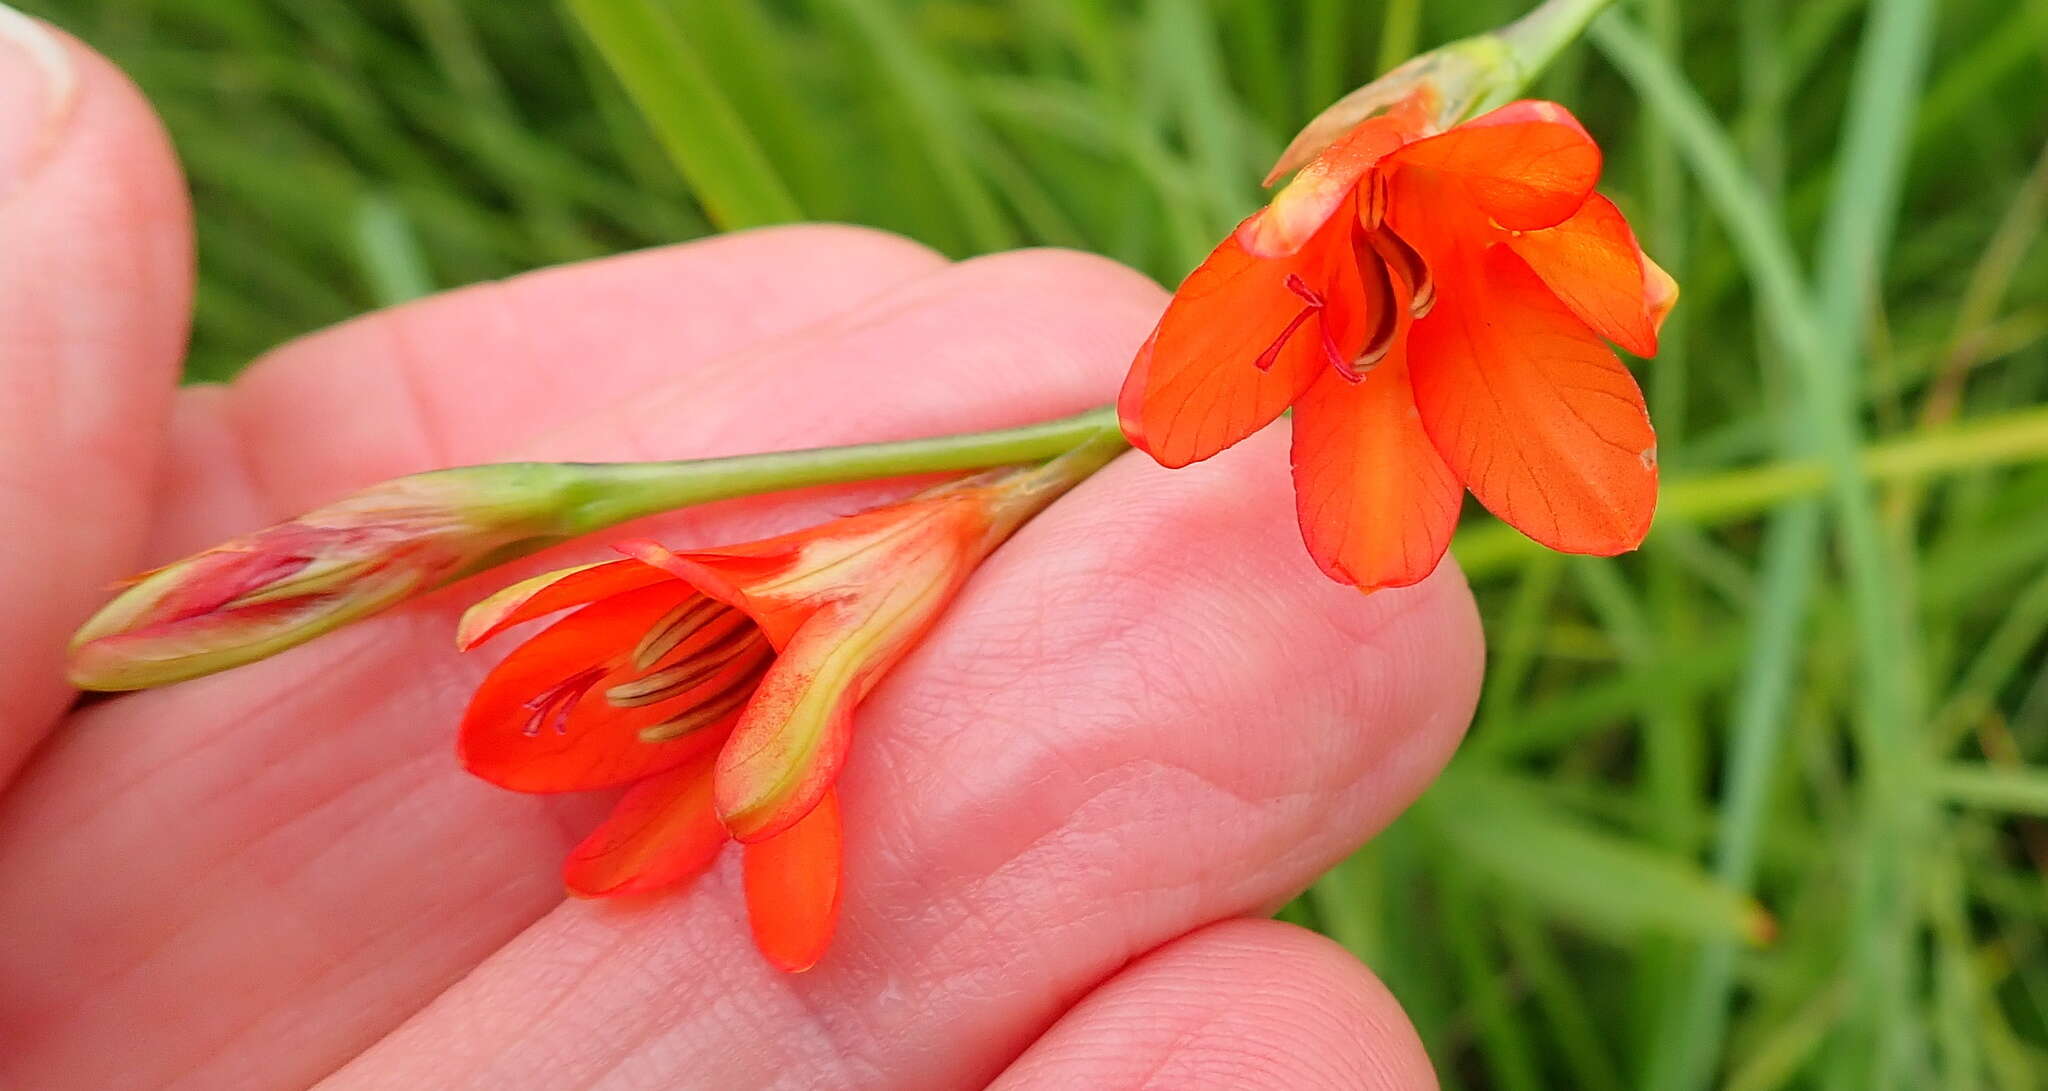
(1750, 810)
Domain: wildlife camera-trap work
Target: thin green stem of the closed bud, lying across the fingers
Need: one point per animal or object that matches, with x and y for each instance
(607, 494)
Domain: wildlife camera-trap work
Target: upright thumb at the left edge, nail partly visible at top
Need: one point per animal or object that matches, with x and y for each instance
(95, 290)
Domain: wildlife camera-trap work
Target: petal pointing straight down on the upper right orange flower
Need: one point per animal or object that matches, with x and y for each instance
(1377, 503)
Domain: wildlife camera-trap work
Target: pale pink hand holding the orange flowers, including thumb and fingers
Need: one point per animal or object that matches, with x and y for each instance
(1146, 724)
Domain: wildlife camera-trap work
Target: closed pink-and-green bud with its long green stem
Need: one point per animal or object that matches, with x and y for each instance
(282, 586)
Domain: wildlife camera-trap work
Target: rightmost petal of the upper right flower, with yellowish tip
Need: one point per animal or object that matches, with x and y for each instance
(1598, 271)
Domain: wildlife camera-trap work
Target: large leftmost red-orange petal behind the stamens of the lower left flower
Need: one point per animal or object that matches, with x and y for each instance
(540, 722)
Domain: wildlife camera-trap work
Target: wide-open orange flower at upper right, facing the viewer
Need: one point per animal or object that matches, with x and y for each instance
(1433, 306)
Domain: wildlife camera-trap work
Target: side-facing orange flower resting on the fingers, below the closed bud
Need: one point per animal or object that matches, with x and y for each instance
(722, 687)
